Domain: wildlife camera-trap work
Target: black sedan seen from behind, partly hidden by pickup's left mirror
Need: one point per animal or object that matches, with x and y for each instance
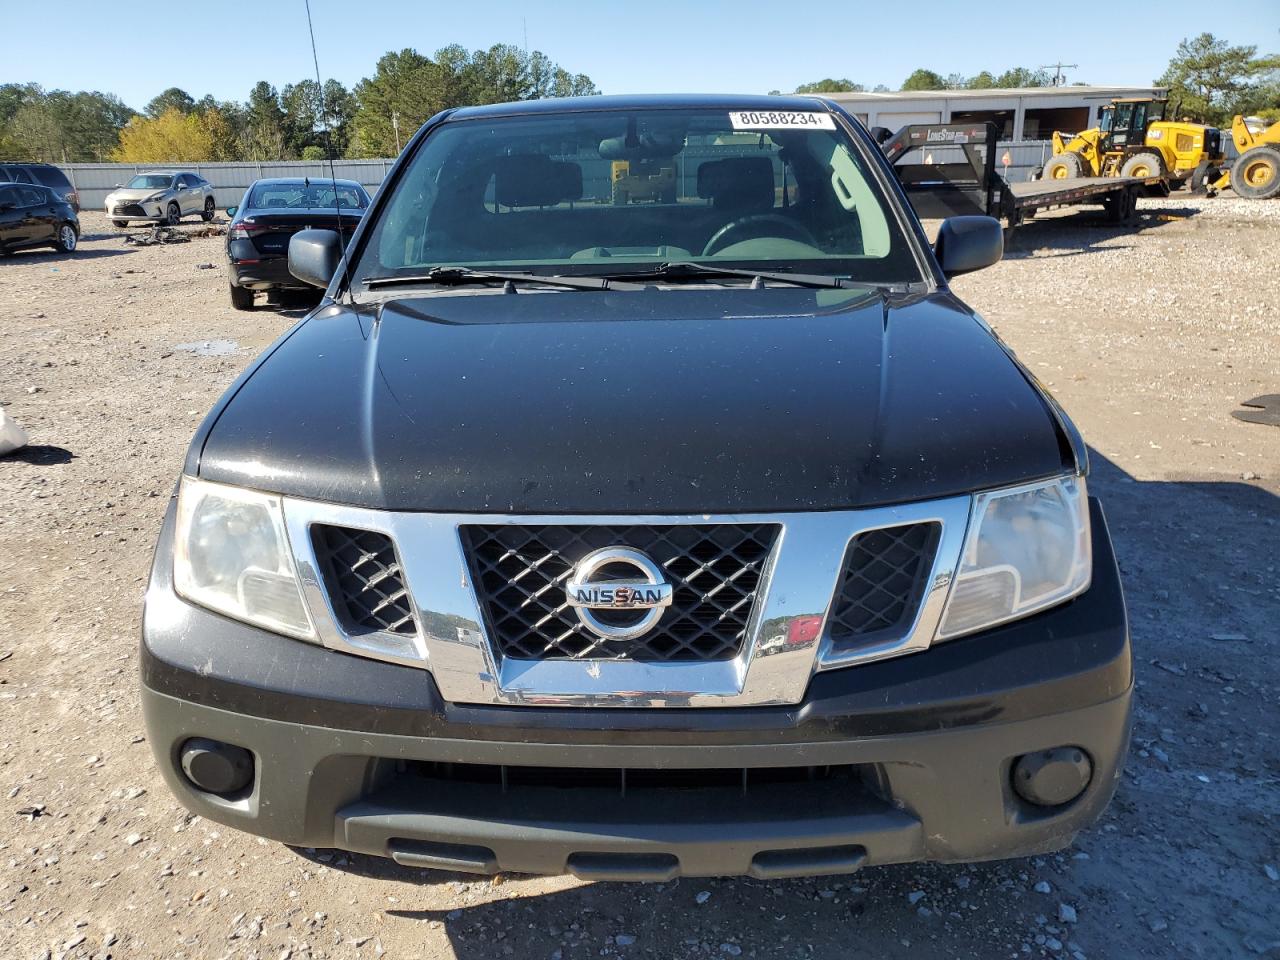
(272, 212)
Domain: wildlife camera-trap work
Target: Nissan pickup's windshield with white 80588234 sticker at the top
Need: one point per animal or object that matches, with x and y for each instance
(610, 193)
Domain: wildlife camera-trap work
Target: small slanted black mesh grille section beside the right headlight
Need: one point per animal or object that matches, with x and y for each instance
(884, 580)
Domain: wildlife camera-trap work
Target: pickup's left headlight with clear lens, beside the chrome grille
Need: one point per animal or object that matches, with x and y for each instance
(232, 555)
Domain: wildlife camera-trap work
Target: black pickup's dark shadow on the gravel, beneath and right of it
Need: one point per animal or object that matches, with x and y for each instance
(1195, 557)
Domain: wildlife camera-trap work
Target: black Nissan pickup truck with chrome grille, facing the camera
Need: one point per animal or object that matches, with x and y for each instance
(632, 531)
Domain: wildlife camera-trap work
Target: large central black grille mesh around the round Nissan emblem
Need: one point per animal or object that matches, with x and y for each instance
(715, 570)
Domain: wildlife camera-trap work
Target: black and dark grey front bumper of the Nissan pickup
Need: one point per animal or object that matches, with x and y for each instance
(890, 762)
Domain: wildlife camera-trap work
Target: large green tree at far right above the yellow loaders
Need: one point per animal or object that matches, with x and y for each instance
(1212, 81)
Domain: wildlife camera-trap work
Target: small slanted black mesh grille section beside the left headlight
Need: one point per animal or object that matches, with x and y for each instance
(365, 582)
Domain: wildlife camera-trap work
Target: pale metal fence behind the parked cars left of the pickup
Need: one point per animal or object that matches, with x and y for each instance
(95, 181)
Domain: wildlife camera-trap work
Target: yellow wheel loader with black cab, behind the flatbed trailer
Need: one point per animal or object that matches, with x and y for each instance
(1135, 140)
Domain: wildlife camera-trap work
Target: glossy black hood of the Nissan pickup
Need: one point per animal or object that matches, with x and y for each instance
(665, 401)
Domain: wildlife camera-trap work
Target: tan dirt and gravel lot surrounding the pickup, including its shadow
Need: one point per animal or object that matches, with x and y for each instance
(1150, 337)
